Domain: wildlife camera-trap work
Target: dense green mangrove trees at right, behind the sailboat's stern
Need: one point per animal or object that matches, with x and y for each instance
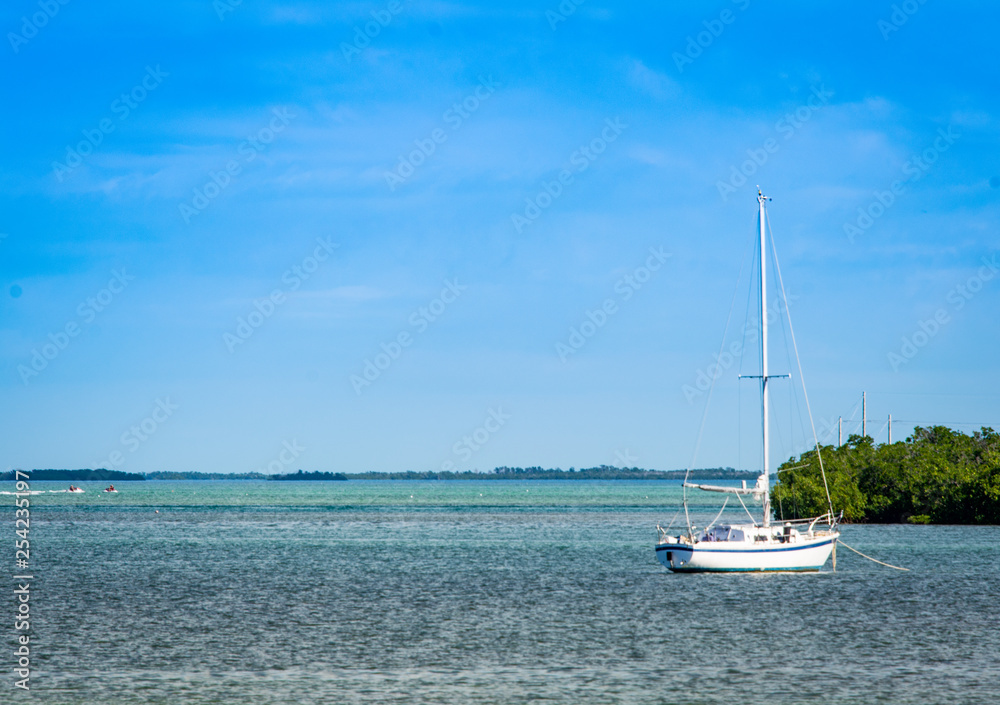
(937, 476)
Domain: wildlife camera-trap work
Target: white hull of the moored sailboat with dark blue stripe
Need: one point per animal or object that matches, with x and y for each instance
(744, 557)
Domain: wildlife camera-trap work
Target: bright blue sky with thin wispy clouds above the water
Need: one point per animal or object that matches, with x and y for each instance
(217, 218)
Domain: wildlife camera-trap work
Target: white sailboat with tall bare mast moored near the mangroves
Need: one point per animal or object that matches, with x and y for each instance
(758, 546)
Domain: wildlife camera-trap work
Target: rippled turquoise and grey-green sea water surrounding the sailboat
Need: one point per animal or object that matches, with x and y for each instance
(480, 592)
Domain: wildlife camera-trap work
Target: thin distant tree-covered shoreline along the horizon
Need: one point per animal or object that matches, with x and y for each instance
(502, 473)
